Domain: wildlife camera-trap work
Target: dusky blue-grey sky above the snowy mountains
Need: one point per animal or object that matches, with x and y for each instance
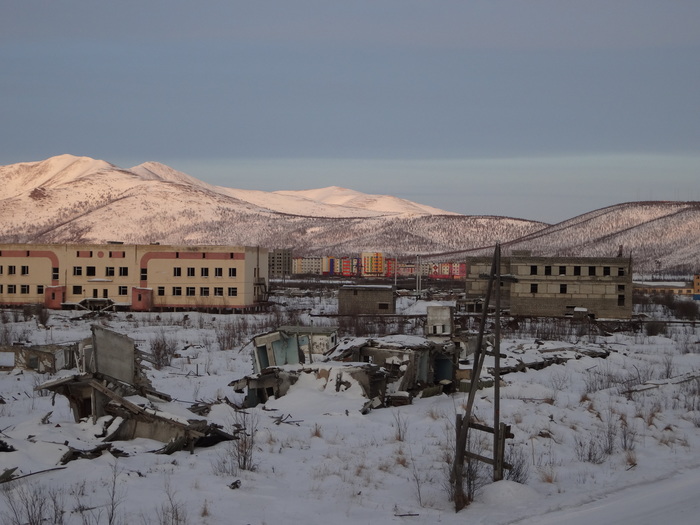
(540, 110)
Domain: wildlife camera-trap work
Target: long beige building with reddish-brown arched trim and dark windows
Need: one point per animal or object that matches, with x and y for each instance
(134, 277)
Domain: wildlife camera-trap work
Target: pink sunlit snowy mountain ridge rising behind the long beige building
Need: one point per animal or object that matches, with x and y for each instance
(77, 199)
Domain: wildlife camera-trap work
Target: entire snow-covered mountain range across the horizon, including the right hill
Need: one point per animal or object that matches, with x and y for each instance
(79, 199)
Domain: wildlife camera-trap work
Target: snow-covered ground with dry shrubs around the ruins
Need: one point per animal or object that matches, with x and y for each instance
(602, 440)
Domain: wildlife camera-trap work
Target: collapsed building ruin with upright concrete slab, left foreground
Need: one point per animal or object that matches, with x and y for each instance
(112, 382)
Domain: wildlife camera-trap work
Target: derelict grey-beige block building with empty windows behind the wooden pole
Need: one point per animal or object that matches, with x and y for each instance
(558, 286)
